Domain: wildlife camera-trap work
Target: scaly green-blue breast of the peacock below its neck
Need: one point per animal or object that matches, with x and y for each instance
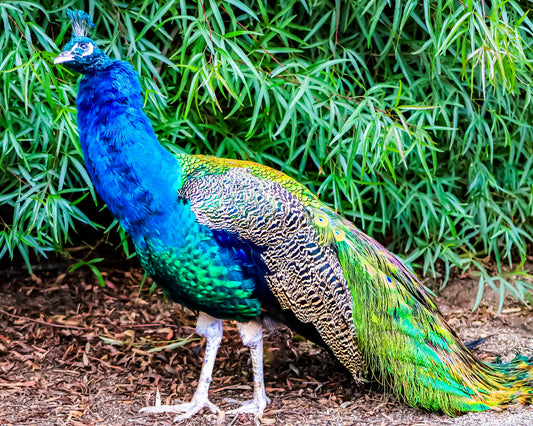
(193, 269)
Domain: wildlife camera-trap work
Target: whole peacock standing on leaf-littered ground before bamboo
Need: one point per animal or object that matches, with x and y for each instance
(236, 240)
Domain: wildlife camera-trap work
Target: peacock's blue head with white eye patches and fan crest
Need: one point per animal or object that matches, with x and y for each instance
(81, 53)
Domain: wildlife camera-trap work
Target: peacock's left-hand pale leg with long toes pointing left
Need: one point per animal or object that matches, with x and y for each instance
(211, 328)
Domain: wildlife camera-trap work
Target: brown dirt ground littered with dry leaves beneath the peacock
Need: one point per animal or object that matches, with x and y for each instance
(75, 353)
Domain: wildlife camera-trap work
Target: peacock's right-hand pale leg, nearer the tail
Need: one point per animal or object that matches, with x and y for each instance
(252, 336)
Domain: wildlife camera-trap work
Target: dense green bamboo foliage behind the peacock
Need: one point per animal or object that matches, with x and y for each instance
(412, 118)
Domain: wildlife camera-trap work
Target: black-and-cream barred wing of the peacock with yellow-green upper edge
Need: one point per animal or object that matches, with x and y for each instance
(256, 204)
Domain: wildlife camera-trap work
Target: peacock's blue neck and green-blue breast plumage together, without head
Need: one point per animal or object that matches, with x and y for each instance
(141, 191)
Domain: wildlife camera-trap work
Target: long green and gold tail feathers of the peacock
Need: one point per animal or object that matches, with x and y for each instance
(408, 346)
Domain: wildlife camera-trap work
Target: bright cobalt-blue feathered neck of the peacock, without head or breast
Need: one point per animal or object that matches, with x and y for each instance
(135, 176)
